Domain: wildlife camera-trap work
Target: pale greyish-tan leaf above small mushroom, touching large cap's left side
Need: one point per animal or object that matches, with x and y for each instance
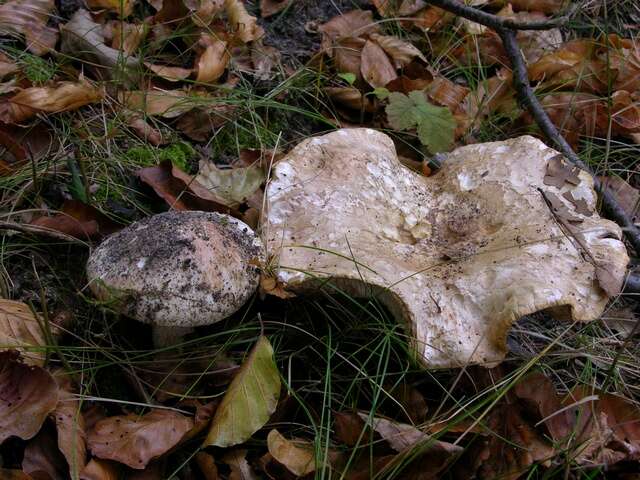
(232, 186)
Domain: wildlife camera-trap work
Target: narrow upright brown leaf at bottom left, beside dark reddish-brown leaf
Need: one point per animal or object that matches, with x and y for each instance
(70, 425)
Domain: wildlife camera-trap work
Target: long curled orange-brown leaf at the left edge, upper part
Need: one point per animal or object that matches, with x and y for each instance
(62, 97)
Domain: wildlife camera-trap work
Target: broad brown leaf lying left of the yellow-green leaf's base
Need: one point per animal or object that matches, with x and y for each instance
(136, 440)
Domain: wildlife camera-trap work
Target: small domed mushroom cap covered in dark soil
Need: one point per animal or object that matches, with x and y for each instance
(178, 269)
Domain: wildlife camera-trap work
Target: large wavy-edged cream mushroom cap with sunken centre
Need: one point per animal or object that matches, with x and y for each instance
(460, 255)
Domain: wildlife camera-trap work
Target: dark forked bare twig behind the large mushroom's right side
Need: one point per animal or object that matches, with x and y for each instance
(507, 29)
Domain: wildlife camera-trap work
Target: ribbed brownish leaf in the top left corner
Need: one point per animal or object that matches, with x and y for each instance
(29, 18)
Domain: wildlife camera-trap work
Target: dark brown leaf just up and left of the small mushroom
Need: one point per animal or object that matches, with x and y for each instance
(78, 220)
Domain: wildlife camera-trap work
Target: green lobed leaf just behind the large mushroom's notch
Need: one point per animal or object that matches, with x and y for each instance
(435, 125)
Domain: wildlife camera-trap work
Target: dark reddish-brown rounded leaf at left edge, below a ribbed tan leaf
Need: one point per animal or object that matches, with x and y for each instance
(27, 395)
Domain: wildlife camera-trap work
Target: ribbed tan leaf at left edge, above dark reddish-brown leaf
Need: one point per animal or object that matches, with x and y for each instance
(19, 328)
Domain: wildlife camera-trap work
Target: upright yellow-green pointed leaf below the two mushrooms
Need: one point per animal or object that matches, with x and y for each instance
(250, 399)
